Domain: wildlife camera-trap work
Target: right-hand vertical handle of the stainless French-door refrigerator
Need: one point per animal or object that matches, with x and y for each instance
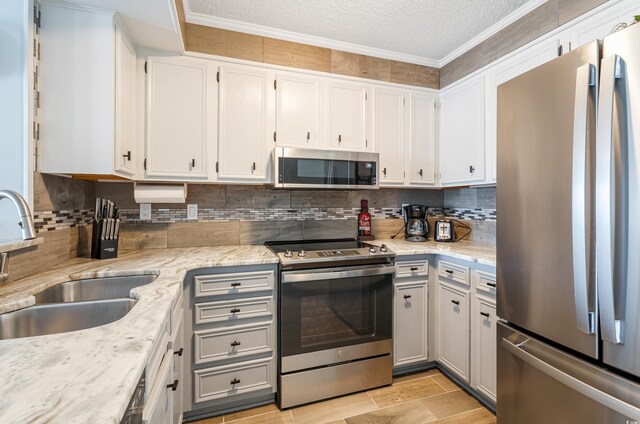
(612, 69)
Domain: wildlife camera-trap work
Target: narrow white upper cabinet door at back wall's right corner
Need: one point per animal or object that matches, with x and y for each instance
(422, 140)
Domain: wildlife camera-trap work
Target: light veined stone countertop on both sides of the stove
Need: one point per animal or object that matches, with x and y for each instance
(88, 376)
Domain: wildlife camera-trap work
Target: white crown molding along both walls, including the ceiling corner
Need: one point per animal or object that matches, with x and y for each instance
(264, 31)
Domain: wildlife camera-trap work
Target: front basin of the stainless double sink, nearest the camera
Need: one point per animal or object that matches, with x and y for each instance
(54, 318)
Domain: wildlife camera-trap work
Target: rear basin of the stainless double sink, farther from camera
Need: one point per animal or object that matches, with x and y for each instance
(93, 289)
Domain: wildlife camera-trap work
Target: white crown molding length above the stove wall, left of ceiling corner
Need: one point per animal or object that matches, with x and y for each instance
(264, 31)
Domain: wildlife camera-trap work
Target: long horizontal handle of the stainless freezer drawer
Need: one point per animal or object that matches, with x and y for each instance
(579, 386)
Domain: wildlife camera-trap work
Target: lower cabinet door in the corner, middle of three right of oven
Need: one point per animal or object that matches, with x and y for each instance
(453, 329)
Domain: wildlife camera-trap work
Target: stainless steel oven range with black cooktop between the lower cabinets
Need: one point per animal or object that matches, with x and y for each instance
(334, 323)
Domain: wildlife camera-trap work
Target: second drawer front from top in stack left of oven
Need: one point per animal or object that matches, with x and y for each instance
(234, 311)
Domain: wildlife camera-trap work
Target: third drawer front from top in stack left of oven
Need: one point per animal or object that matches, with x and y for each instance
(221, 344)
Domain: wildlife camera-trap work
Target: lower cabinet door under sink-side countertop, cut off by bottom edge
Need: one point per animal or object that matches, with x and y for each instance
(158, 408)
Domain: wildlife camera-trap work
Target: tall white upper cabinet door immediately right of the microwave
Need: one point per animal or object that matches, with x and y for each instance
(389, 137)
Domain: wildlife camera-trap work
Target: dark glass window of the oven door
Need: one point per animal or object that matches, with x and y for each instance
(318, 315)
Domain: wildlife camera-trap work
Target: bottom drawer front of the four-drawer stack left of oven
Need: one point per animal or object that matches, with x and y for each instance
(222, 382)
